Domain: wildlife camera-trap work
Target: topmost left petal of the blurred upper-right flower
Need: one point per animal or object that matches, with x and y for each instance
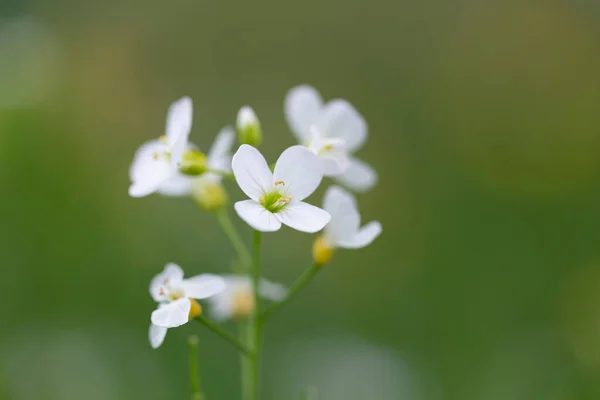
(302, 106)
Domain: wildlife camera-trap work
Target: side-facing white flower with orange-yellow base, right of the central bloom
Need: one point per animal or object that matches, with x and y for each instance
(344, 229)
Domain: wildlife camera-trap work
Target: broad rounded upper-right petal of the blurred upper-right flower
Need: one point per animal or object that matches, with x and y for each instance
(340, 119)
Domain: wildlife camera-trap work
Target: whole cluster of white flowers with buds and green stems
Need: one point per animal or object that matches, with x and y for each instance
(328, 134)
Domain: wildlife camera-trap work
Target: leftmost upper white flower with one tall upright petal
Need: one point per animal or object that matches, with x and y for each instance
(156, 162)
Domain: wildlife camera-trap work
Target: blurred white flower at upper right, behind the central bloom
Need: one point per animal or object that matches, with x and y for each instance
(332, 130)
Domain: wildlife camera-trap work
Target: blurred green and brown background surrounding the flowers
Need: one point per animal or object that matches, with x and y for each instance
(484, 123)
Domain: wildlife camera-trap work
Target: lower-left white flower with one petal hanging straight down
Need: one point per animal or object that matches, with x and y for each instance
(175, 297)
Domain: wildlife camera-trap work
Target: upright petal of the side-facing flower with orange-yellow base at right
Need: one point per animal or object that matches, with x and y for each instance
(345, 219)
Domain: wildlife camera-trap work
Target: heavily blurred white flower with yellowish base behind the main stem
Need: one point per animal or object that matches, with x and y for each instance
(237, 300)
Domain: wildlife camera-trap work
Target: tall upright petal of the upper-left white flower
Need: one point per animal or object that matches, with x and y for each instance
(179, 124)
